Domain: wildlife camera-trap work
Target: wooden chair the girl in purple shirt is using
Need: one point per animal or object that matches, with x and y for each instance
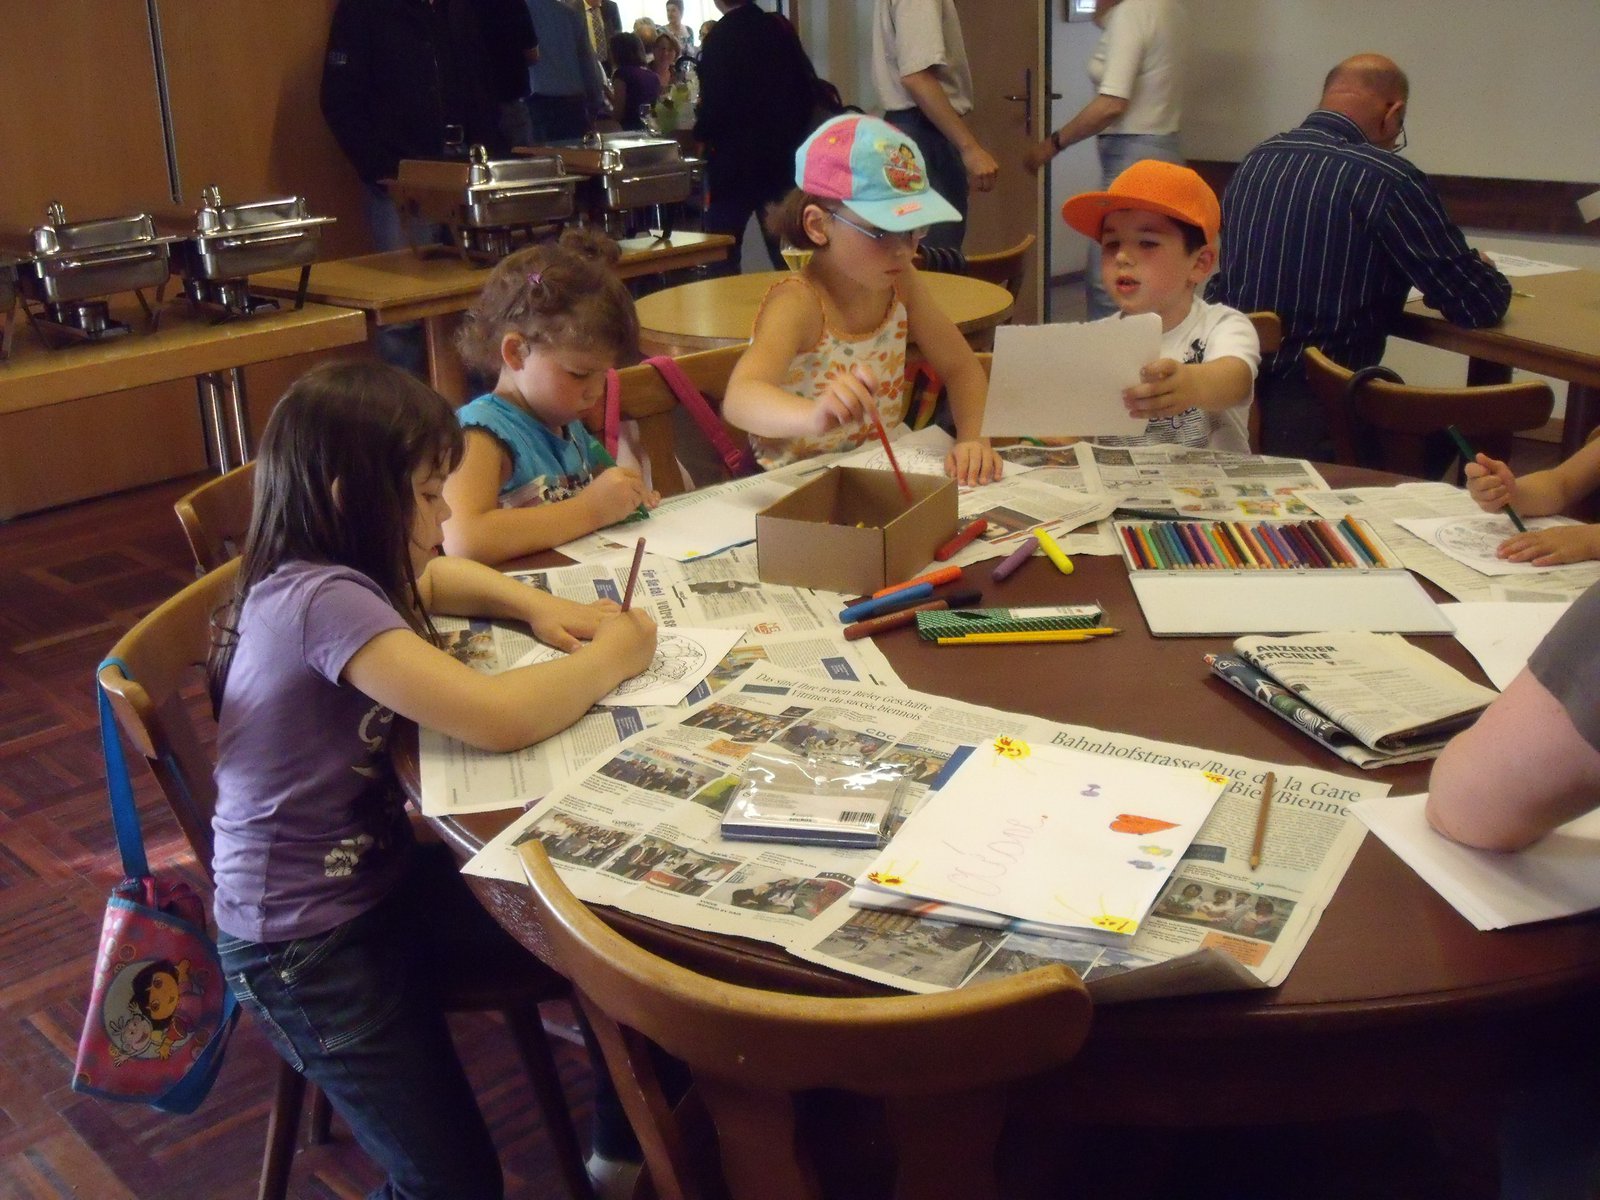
(154, 706)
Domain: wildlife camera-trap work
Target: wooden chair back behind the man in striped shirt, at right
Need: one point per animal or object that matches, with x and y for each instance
(1380, 422)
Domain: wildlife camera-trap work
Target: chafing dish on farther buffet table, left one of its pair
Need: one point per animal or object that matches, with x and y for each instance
(490, 206)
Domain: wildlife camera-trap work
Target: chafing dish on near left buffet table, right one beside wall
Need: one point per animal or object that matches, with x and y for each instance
(231, 242)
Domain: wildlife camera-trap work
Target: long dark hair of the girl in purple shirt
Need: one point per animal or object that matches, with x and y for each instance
(334, 486)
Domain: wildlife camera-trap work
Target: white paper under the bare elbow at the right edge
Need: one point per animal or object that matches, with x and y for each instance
(1556, 878)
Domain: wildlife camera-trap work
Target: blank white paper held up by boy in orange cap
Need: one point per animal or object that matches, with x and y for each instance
(1068, 380)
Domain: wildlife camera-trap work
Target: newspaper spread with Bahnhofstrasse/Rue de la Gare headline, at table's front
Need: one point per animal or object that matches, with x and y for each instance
(638, 830)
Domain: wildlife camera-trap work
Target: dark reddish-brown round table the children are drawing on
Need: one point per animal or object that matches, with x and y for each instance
(1398, 1002)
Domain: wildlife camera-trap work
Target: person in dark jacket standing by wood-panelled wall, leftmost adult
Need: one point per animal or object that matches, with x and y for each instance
(404, 79)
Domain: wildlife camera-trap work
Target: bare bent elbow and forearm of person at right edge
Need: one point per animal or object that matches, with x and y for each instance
(1522, 770)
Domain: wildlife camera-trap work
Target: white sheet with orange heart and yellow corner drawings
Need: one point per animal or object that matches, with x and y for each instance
(1050, 834)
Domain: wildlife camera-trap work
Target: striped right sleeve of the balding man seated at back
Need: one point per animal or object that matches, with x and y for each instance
(1431, 252)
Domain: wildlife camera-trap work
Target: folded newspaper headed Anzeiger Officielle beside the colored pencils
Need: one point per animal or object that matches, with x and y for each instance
(1377, 686)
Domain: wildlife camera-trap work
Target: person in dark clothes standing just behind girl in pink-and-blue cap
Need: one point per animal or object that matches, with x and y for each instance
(754, 113)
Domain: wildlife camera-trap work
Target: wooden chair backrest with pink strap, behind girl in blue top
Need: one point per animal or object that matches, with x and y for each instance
(665, 431)
